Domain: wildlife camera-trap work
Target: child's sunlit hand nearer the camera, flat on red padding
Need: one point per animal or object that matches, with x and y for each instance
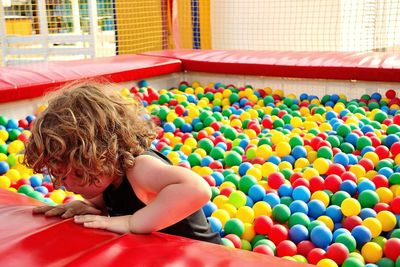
(119, 224)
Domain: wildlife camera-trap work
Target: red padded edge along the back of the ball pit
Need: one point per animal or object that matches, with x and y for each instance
(366, 66)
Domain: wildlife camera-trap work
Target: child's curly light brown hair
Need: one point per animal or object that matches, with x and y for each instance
(88, 128)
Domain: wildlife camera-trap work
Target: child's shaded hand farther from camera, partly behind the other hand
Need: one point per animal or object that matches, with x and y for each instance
(68, 210)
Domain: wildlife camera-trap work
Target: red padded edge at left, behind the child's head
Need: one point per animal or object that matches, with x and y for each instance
(33, 80)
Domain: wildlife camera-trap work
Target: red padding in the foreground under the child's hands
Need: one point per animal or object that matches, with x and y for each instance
(34, 240)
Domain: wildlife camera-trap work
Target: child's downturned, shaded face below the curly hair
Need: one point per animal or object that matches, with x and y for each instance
(73, 182)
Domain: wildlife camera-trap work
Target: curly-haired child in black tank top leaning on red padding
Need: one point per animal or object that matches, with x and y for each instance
(97, 144)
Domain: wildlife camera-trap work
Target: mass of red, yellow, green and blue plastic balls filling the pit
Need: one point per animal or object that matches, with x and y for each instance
(307, 179)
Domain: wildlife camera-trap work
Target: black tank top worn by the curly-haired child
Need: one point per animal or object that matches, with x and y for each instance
(123, 201)
